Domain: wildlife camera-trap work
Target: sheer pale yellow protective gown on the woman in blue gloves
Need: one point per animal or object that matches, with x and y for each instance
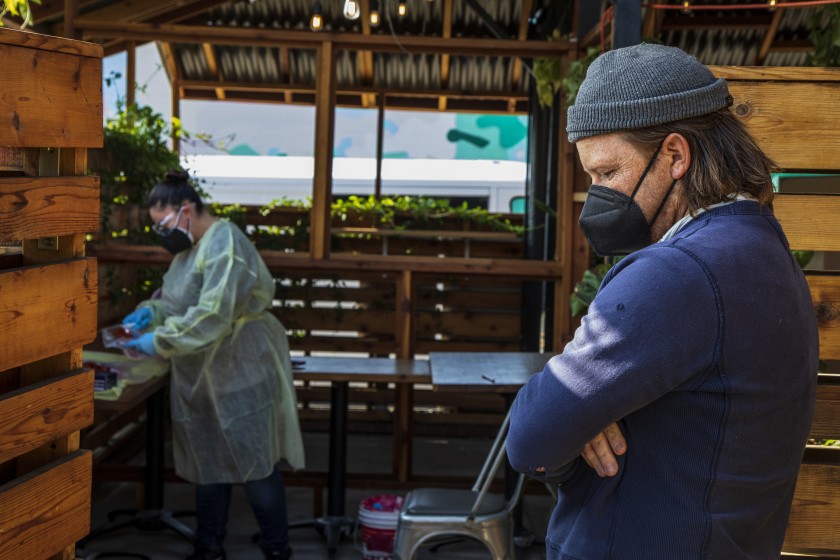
(234, 409)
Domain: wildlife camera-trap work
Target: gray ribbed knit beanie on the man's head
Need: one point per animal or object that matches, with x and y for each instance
(641, 86)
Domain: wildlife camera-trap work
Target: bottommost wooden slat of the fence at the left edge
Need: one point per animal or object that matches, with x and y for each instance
(47, 510)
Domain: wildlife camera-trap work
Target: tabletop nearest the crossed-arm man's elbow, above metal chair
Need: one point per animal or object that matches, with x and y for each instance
(483, 372)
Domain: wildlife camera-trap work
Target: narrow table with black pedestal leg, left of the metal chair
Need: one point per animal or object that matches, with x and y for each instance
(339, 372)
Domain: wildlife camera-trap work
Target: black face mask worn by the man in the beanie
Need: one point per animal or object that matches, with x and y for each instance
(613, 222)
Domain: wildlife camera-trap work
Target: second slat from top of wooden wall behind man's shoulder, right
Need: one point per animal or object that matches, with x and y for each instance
(811, 222)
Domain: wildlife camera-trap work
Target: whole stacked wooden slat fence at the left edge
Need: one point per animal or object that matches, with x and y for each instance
(50, 113)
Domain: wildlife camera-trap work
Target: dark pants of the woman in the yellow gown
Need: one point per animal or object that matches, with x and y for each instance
(268, 500)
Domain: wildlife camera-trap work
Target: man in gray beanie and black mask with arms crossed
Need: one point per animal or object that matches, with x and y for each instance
(676, 418)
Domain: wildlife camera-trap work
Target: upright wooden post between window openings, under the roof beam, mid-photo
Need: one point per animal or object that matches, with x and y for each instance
(319, 232)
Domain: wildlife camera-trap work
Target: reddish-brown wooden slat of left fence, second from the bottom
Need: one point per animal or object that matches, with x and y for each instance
(40, 413)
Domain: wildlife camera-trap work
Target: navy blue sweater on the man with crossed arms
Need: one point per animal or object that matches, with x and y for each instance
(704, 349)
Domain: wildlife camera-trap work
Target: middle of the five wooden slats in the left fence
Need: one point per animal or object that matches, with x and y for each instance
(46, 310)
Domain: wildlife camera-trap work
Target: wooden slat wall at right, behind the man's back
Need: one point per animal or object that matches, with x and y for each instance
(794, 114)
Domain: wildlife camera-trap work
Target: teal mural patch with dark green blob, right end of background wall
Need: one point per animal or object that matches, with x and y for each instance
(500, 137)
